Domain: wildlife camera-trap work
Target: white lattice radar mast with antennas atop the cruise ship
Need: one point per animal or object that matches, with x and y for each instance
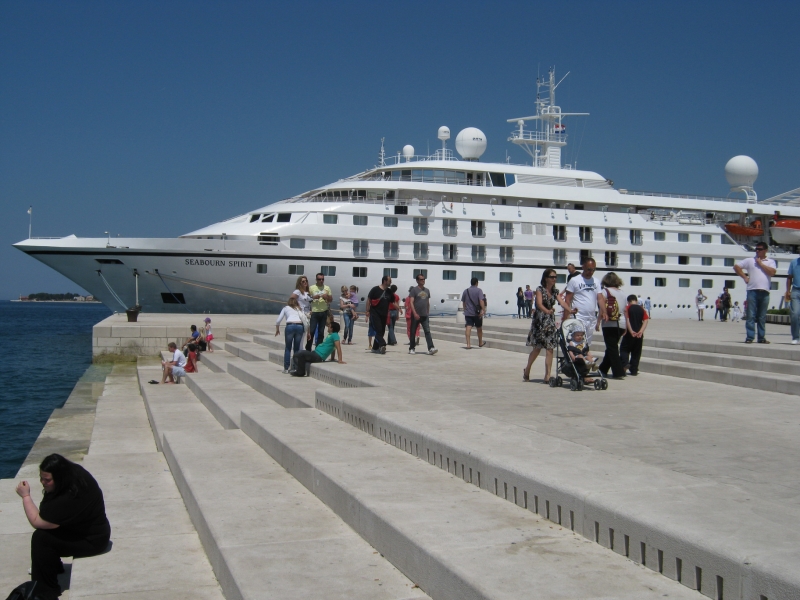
(545, 142)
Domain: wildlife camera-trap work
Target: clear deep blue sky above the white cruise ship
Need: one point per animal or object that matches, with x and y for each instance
(152, 119)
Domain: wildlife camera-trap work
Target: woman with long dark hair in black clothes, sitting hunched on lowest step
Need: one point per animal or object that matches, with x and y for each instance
(70, 520)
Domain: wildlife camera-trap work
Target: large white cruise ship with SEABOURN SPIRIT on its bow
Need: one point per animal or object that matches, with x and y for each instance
(452, 218)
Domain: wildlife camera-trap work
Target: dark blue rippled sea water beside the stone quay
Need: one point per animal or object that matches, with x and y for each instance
(46, 348)
